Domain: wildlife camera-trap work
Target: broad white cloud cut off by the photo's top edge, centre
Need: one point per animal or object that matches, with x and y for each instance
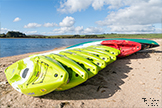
(71, 6)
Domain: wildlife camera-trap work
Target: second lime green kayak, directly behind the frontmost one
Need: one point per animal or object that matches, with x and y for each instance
(77, 74)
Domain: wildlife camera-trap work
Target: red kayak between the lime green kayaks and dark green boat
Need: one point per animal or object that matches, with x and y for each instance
(126, 47)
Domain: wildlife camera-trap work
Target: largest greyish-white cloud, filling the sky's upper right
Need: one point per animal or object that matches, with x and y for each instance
(142, 13)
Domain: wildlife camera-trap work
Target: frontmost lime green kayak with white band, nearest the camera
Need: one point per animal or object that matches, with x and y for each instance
(36, 76)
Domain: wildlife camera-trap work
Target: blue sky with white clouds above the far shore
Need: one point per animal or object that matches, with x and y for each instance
(69, 17)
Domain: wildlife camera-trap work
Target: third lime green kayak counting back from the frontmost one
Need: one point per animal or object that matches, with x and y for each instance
(87, 65)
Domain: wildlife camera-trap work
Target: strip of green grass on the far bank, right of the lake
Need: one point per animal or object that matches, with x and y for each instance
(131, 35)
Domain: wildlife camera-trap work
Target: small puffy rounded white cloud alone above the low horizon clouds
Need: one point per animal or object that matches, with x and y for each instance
(67, 22)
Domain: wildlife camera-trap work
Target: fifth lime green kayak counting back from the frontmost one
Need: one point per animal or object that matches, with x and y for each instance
(103, 56)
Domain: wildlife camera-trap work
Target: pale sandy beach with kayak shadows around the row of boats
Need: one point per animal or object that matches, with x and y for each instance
(124, 83)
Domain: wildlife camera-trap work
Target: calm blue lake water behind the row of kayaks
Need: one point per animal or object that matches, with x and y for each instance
(10, 47)
